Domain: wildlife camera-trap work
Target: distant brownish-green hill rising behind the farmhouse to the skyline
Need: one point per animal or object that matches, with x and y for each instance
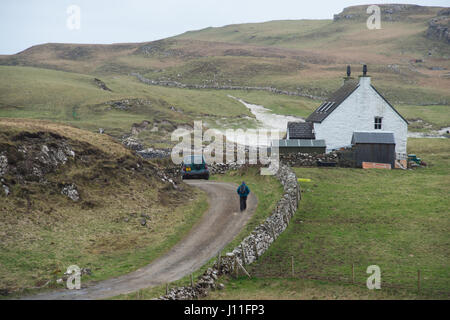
(305, 55)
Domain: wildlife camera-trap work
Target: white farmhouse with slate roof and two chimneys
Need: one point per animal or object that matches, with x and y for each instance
(357, 107)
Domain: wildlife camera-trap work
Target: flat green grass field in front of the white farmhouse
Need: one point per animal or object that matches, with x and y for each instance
(398, 220)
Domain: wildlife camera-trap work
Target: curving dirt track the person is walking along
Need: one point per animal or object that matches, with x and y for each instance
(219, 225)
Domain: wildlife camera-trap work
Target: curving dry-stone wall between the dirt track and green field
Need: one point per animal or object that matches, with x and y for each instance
(252, 246)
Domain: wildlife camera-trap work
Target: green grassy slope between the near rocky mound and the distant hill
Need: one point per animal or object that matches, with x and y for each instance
(75, 99)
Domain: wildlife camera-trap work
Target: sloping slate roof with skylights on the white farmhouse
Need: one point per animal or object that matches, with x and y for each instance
(333, 101)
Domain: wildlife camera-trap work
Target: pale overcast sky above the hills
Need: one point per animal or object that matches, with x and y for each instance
(24, 23)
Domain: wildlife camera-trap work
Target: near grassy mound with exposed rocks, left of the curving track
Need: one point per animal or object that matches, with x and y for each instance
(42, 231)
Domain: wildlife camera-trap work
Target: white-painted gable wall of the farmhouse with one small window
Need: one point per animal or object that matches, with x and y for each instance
(357, 113)
